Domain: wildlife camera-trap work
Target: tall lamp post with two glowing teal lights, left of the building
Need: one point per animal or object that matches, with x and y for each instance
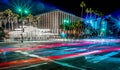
(22, 11)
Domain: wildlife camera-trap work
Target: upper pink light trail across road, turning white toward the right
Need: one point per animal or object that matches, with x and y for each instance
(78, 43)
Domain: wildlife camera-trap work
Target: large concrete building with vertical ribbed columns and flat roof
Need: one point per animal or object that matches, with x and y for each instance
(53, 19)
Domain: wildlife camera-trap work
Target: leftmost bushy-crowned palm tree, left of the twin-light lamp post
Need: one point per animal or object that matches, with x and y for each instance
(9, 18)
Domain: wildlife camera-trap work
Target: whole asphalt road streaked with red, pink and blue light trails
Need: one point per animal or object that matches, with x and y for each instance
(89, 54)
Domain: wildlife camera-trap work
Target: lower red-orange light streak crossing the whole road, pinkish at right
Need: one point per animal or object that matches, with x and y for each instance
(34, 60)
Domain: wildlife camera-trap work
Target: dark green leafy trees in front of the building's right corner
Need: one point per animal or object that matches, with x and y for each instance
(75, 28)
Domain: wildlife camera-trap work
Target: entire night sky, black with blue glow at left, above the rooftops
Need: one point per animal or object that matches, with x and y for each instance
(71, 6)
